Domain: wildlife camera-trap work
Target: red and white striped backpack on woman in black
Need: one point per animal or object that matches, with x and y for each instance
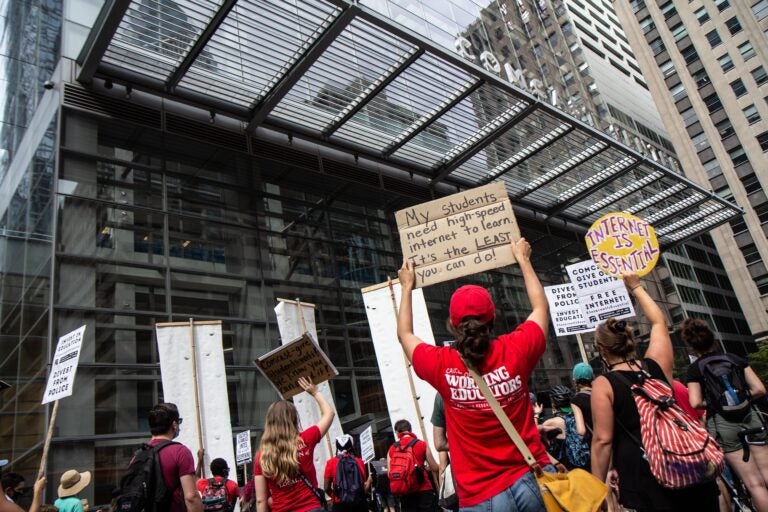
(679, 450)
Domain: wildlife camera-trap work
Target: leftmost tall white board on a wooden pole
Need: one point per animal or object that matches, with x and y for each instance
(174, 344)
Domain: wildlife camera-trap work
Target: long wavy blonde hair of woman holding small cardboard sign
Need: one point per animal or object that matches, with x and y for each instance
(280, 442)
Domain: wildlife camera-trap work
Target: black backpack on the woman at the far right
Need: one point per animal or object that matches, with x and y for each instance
(724, 386)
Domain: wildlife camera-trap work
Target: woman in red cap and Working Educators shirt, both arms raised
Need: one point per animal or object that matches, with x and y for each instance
(490, 472)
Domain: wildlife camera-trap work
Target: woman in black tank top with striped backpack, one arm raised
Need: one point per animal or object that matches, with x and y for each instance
(619, 427)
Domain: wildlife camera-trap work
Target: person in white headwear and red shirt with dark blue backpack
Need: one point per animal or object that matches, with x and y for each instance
(345, 478)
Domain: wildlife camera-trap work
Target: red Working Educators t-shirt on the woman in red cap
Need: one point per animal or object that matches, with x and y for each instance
(484, 459)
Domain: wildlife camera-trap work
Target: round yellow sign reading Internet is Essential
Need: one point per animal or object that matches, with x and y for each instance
(621, 243)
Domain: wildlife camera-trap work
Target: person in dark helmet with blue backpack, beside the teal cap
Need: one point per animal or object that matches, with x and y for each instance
(569, 447)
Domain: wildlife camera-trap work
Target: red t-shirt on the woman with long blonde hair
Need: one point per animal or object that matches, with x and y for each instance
(294, 495)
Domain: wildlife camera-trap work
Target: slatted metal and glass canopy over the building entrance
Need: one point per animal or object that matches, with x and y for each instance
(343, 74)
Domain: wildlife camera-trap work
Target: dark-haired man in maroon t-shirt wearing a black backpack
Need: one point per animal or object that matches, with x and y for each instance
(161, 474)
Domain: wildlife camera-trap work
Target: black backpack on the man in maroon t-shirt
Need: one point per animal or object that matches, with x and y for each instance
(142, 488)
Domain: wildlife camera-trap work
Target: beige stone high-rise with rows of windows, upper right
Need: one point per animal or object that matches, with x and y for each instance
(706, 65)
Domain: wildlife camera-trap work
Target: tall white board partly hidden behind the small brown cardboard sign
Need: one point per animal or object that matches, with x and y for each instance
(292, 322)
